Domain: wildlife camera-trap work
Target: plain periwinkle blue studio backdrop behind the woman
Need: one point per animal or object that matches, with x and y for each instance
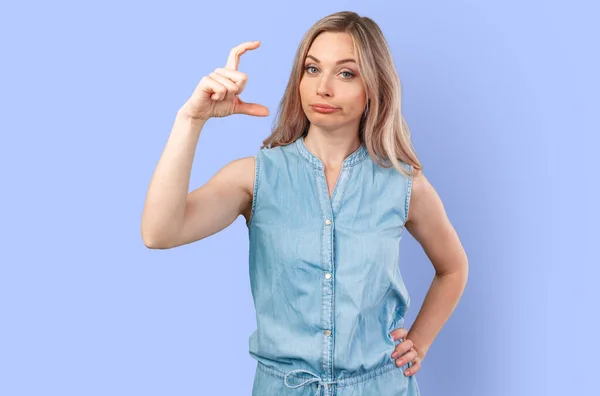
(501, 98)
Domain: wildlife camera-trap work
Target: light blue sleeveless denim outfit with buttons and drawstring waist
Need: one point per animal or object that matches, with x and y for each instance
(324, 275)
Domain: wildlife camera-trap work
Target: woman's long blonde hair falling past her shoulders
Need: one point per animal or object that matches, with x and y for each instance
(382, 128)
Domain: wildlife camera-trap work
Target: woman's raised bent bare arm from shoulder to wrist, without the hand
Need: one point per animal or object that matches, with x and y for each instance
(171, 216)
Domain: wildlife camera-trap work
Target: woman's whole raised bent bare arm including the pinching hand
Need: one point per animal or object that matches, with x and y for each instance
(171, 216)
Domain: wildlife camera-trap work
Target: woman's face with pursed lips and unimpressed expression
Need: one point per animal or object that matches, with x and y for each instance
(331, 77)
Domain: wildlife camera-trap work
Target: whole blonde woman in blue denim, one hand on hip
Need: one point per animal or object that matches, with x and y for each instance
(326, 200)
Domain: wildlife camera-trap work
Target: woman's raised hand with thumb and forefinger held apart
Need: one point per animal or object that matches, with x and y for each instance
(217, 94)
